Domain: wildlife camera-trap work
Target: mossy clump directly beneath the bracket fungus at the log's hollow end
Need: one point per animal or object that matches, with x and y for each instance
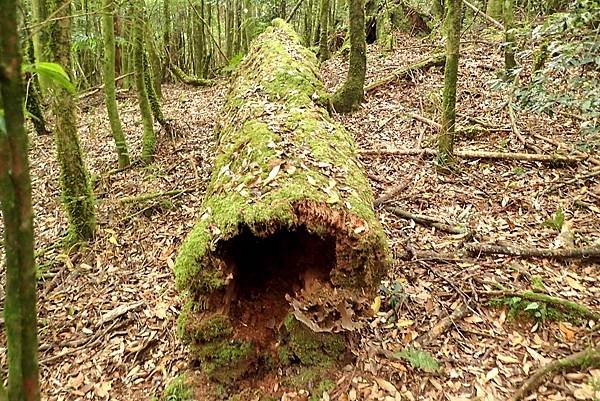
(310, 348)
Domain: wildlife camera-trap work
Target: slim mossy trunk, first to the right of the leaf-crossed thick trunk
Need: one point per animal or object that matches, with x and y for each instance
(109, 83)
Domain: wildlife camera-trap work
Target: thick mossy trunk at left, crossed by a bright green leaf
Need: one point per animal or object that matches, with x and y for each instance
(77, 193)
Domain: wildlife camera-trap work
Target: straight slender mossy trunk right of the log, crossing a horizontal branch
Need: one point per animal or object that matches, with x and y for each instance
(446, 135)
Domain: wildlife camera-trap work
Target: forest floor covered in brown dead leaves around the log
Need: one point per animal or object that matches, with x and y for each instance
(108, 312)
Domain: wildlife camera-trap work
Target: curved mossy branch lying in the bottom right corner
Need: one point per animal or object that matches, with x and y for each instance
(588, 358)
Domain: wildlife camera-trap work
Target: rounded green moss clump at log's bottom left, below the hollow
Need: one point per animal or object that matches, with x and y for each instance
(226, 360)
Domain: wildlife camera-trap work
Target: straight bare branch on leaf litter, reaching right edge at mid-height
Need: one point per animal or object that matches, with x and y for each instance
(565, 253)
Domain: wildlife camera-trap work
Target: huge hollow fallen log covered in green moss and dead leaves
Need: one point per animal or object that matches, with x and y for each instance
(288, 249)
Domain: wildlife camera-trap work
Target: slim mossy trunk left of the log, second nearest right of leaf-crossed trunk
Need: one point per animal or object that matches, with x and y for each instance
(148, 136)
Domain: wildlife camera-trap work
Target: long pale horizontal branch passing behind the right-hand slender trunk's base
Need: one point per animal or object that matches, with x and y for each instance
(473, 154)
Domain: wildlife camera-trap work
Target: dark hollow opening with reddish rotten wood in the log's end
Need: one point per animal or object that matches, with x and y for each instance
(265, 270)
